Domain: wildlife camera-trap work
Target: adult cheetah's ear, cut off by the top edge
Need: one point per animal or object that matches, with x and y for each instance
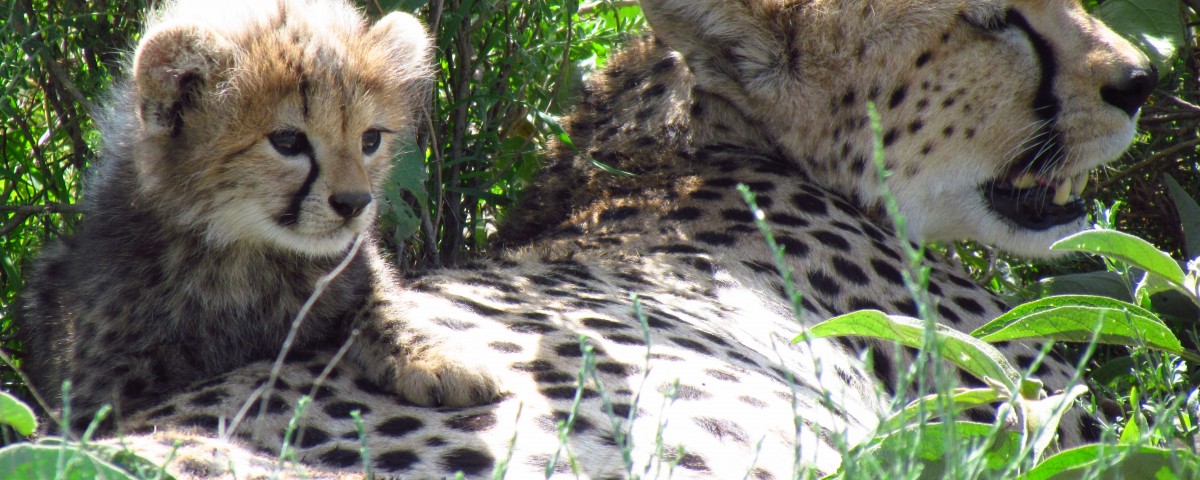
(739, 44)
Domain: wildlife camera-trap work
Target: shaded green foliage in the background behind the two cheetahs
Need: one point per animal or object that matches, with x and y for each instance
(507, 71)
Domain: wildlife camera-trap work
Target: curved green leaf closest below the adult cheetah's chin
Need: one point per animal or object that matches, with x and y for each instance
(1125, 248)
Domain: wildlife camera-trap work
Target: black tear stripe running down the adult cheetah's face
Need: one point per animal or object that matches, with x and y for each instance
(1048, 148)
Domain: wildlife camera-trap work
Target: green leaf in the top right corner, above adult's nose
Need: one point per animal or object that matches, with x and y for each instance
(1154, 26)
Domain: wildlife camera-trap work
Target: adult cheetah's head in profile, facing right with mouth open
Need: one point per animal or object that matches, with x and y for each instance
(993, 111)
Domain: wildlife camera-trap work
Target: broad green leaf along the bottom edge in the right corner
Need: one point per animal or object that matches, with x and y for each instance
(1118, 463)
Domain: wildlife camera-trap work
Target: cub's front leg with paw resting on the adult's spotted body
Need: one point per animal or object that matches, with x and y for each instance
(417, 362)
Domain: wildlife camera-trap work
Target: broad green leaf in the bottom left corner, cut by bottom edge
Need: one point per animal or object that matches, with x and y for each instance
(29, 461)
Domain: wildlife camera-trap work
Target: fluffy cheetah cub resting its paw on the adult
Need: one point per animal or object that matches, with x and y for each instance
(242, 160)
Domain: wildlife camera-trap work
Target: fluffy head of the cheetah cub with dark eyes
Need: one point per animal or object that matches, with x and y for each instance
(272, 123)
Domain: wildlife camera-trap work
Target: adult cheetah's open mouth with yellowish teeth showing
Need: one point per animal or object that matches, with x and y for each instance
(1035, 202)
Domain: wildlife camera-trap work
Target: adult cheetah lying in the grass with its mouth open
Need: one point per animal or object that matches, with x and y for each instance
(993, 113)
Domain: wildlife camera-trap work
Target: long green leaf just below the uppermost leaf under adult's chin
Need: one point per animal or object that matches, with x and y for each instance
(1075, 319)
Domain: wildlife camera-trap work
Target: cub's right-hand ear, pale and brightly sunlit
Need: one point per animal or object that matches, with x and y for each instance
(403, 40)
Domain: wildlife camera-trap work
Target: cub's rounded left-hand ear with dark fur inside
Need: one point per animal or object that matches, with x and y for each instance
(172, 64)
